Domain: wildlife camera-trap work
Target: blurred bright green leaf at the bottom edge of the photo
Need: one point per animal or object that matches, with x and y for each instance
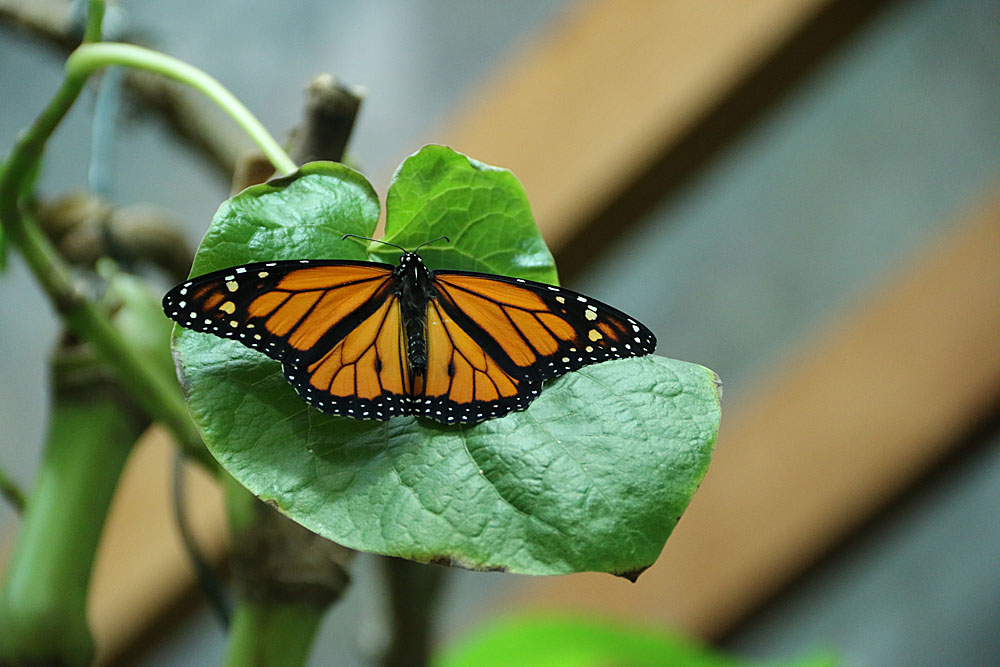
(575, 641)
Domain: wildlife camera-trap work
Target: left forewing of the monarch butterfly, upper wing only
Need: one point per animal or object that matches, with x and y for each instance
(292, 311)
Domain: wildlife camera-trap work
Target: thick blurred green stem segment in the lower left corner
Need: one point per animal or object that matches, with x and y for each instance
(44, 597)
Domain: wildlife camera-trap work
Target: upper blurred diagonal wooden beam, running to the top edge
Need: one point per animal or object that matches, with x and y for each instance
(600, 116)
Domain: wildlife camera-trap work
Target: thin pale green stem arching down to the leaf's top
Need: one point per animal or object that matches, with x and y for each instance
(91, 57)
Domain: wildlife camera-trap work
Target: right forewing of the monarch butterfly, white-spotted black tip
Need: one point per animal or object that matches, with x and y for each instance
(534, 331)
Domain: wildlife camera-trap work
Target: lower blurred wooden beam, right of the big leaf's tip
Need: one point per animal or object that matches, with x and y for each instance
(840, 429)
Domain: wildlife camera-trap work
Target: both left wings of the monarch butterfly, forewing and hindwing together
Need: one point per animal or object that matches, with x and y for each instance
(334, 324)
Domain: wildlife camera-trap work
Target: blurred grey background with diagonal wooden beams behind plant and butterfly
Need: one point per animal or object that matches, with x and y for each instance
(803, 195)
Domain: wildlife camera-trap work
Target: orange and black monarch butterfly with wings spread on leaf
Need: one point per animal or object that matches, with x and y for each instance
(372, 341)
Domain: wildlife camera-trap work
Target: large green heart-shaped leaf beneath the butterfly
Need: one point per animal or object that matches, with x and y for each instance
(592, 477)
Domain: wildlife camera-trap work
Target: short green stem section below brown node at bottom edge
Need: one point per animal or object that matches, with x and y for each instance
(272, 633)
